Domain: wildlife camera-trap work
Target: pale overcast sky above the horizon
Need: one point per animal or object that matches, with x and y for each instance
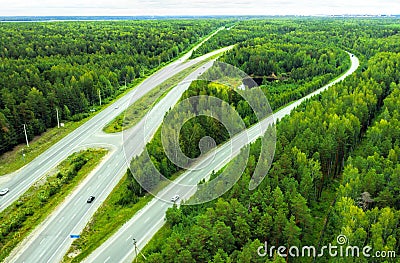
(196, 7)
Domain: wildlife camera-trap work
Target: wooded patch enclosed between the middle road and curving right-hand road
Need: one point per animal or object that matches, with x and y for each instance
(294, 77)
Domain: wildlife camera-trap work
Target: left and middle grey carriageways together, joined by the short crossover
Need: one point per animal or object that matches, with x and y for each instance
(50, 241)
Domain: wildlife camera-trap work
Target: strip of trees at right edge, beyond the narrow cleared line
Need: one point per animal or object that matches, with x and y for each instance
(367, 211)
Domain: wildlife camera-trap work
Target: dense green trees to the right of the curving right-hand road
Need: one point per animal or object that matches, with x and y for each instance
(347, 134)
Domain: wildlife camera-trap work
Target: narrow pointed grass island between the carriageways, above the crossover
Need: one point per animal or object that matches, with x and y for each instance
(139, 109)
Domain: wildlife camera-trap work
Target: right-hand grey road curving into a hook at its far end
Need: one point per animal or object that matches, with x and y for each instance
(145, 223)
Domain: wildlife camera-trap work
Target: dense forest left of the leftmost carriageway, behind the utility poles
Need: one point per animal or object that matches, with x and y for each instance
(65, 66)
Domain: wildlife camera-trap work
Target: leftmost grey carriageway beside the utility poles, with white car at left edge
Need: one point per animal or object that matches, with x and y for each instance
(25, 177)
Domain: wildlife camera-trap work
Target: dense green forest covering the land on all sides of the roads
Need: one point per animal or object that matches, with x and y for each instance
(336, 168)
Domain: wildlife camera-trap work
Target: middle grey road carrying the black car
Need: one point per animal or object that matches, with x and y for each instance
(52, 241)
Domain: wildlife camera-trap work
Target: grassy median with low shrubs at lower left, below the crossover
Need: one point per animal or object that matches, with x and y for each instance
(21, 218)
